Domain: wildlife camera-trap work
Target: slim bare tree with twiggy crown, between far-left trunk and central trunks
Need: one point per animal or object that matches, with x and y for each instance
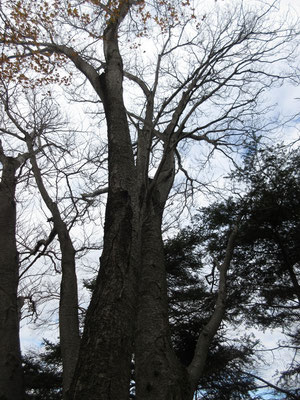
(36, 129)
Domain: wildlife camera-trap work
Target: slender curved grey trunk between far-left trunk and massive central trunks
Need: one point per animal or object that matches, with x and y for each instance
(68, 305)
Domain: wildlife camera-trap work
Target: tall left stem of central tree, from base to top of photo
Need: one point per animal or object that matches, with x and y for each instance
(104, 366)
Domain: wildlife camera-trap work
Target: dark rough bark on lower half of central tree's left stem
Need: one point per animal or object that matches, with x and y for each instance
(103, 370)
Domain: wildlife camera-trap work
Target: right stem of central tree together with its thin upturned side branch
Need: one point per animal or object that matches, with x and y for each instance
(159, 374)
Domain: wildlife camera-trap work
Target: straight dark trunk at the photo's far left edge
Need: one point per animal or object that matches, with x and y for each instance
(11, 378)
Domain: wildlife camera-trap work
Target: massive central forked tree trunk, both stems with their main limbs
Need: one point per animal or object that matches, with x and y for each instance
(132, 233)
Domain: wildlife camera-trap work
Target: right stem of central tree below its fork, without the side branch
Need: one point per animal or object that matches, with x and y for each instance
(159, 375)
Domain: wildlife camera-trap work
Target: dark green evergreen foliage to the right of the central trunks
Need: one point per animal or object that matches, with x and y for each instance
(272, 180)
